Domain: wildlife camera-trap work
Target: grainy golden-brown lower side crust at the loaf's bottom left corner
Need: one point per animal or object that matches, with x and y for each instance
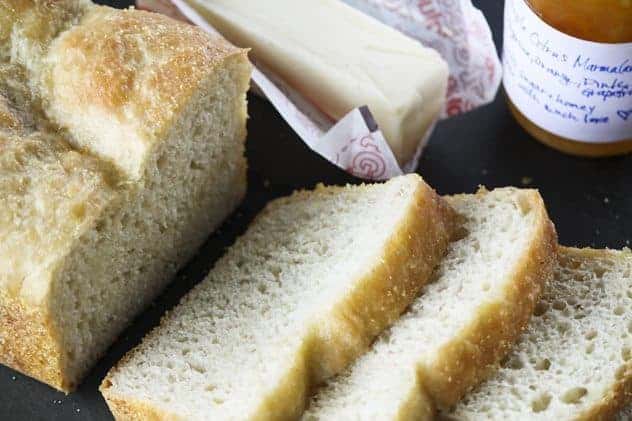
(28, 345)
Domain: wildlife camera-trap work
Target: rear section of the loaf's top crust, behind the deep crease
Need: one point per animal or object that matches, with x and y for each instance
(114, 79)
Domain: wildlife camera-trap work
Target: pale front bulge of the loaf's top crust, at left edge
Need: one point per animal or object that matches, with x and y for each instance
(49, 192)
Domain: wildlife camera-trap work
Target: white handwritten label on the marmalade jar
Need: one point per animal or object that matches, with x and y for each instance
(576, 89)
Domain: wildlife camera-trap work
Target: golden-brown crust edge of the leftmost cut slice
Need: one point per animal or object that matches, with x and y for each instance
(405, 266)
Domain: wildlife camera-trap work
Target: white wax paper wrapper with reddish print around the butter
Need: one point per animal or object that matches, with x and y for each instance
(455, 28)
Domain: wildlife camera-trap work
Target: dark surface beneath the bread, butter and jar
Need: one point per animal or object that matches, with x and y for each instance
(589, 200)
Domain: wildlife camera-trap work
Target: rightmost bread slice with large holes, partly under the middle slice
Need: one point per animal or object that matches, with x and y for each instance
(574, 360)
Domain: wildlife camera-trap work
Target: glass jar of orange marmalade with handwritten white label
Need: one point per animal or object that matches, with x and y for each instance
(568, 73)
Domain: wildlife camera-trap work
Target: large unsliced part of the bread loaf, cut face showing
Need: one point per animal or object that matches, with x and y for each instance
(121, 148)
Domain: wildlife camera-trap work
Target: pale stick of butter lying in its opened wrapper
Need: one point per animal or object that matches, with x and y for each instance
(340, 59)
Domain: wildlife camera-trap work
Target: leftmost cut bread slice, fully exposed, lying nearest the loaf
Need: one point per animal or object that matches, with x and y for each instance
(293, 302)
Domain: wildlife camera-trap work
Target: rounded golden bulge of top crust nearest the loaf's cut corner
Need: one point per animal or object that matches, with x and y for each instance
(130, 70)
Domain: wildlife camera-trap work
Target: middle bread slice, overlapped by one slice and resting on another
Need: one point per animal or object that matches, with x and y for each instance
(465, 319)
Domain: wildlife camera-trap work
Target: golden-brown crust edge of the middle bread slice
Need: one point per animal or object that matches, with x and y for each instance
(468, 359)
